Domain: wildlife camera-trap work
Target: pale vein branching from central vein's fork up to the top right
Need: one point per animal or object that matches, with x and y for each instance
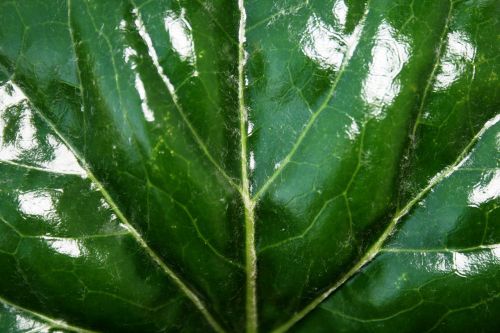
(317, 113)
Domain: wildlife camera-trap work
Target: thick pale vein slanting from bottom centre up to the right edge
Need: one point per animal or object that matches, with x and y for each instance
(375, 249)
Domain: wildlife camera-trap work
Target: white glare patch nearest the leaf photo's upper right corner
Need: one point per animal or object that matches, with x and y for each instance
(459, 52)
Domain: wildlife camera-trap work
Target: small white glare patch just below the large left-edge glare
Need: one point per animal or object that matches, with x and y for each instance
(37, 203)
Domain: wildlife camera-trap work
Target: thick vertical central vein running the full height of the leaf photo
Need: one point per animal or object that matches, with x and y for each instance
(249, 204)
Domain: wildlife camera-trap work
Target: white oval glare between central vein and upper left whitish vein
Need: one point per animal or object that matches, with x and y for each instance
(181, 37)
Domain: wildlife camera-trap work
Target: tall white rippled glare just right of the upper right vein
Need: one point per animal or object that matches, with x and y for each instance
(389, 55)
